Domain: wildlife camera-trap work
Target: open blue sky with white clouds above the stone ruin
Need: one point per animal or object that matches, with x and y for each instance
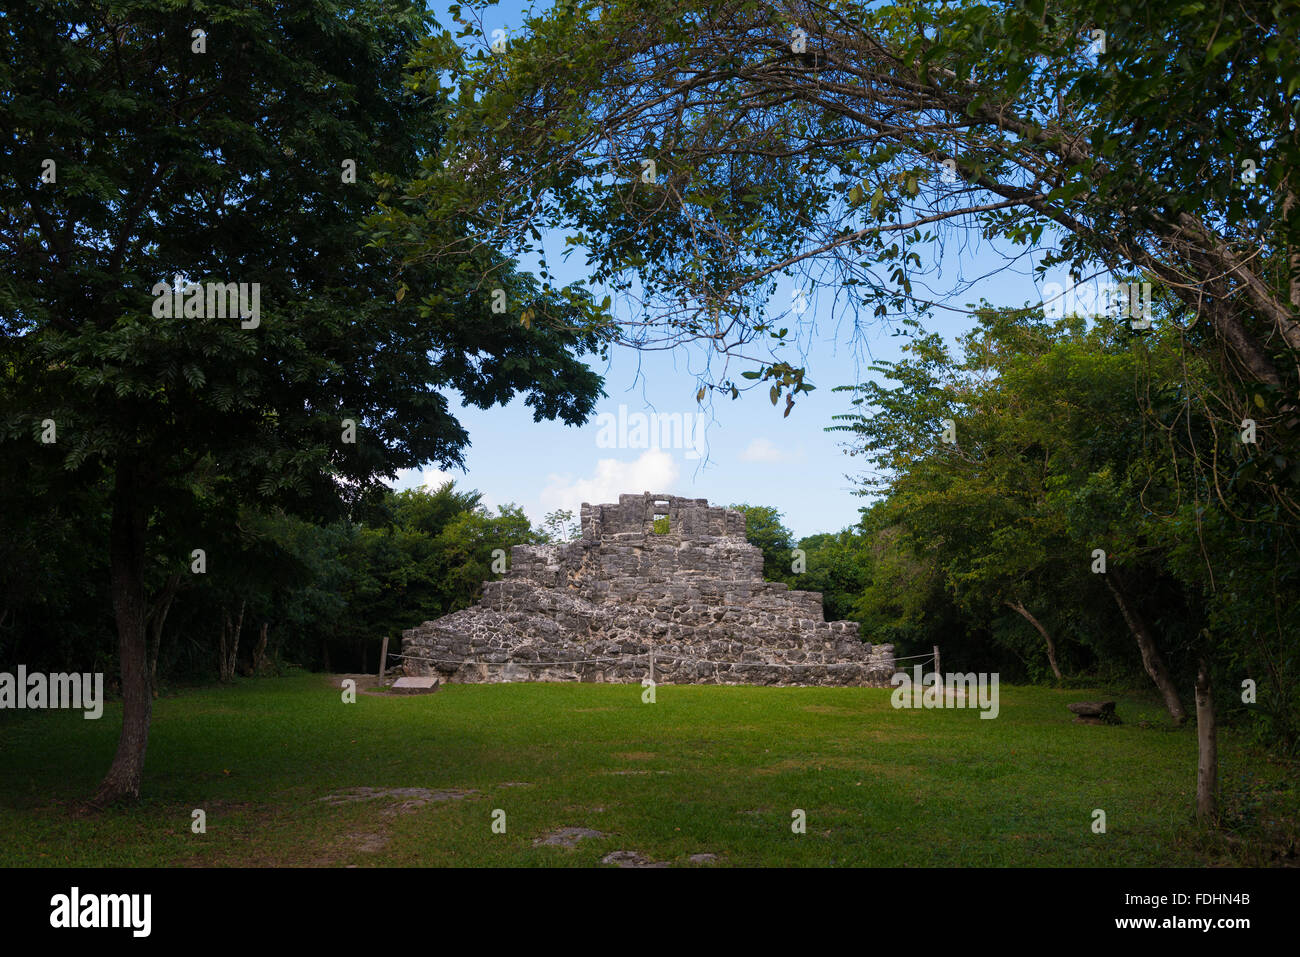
(752, 453)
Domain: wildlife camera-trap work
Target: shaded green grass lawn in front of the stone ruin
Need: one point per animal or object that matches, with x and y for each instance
(705, 770)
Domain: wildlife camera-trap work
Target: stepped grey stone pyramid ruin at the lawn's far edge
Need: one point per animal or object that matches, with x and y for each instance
(655, 582)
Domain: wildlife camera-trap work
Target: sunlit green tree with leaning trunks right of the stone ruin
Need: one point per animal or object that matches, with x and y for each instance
(989, 456)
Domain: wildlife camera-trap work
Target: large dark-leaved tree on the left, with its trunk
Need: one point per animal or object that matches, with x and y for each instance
(153, 148)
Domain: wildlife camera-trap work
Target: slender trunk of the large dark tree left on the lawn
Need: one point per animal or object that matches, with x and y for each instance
(127, 574)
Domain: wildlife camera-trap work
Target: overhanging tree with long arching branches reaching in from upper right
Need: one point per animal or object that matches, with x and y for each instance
(700, 153)
